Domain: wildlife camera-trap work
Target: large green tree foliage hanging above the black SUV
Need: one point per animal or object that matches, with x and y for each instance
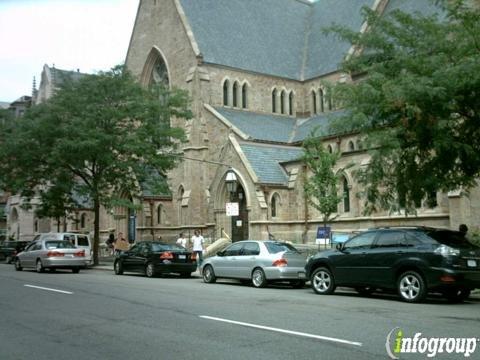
(415, 100)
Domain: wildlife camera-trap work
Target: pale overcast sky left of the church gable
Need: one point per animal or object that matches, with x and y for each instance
(90, 35)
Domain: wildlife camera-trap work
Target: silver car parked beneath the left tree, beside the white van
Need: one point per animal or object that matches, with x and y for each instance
(52, 255)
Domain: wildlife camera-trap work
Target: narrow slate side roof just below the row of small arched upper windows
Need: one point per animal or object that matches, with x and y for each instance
(276, 128)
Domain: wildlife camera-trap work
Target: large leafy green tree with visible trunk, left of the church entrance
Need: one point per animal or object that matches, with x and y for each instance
(96, 138)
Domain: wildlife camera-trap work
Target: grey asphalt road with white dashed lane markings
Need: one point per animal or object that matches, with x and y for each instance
(98, 315)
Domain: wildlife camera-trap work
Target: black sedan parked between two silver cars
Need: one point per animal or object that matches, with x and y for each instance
(153, 257)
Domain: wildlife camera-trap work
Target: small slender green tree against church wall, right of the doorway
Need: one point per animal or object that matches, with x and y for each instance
(322, 183)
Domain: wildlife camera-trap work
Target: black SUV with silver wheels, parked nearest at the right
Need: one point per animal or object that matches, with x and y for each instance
(412, 261)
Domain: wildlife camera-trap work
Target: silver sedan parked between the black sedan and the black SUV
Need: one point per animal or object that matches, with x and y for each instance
(260, 262)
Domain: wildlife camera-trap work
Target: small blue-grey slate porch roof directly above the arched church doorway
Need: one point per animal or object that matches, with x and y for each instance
(266, 160)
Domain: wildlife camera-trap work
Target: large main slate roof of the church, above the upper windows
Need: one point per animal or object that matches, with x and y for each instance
(276, 37)
